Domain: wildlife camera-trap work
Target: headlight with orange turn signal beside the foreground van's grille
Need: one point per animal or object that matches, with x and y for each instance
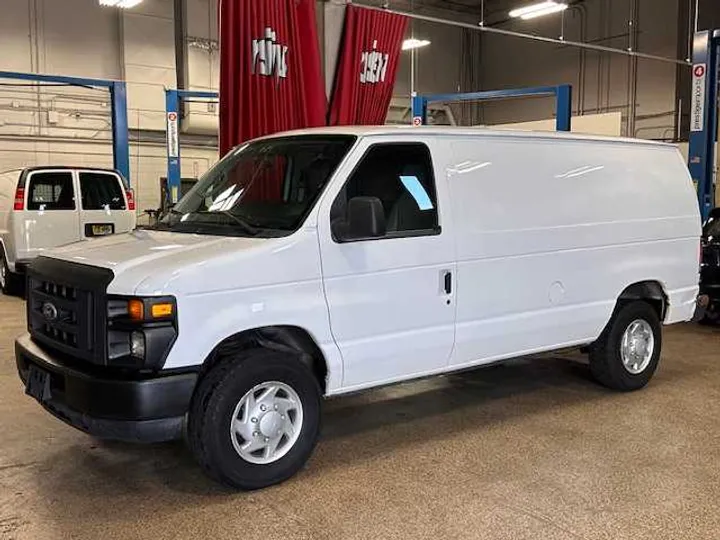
(141, 330)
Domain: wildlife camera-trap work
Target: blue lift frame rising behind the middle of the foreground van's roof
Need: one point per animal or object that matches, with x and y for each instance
(562, 93)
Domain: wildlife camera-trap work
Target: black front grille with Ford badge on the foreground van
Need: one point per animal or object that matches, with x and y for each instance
(66, 308)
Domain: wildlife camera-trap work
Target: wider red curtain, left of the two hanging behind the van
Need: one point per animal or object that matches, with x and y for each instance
(270, 74)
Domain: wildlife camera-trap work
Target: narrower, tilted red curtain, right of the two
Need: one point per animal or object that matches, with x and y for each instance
(368, 61)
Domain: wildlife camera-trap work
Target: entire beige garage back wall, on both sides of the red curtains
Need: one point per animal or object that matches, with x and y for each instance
(51, 124)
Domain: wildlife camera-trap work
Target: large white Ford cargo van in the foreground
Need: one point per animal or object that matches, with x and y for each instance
(327, 261)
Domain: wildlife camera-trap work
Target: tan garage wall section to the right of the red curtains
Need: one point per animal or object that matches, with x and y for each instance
(463, 60)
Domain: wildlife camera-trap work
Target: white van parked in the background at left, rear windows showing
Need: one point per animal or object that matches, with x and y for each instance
(40, 209)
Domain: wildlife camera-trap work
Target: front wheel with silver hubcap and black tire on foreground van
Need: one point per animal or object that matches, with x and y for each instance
(254, 419)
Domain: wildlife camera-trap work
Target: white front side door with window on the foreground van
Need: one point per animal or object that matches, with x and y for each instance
(391, 299)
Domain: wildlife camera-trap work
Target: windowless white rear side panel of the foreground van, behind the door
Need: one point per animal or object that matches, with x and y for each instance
(551, 231)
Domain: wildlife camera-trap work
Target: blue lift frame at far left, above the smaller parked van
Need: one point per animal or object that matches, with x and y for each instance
(118, 105)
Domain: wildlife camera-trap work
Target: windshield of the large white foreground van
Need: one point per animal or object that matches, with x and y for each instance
(263, 188)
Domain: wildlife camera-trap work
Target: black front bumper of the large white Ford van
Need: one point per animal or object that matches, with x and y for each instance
(150, 409)
